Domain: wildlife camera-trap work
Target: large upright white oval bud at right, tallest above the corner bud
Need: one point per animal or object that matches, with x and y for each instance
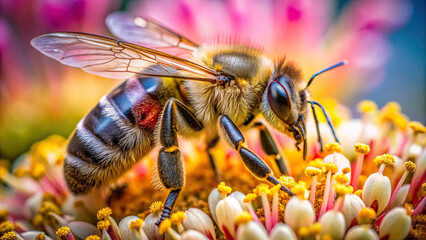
(377, 187)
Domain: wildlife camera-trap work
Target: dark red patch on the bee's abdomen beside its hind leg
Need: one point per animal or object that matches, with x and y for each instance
(146, 113)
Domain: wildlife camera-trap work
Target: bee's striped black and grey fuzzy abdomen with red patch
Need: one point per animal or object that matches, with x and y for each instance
(117, 133)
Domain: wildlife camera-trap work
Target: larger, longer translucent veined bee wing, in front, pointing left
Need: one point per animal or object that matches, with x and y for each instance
(116, 59)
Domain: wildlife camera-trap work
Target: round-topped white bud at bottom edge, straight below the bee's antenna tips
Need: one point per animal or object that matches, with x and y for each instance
(333, 223)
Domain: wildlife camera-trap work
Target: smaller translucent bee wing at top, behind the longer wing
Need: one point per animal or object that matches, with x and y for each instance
(147, 33)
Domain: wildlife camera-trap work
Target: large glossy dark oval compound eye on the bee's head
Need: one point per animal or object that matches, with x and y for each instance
(279, 100)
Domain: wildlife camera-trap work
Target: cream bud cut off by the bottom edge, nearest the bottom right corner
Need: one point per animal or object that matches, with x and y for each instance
(396, 224)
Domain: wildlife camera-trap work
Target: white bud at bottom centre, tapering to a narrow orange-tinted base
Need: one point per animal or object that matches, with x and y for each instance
(226, 211)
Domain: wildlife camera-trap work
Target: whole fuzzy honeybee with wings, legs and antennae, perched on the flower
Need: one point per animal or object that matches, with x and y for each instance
(213, 92)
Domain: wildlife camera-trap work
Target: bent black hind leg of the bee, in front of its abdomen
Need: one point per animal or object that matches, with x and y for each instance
(170, 164)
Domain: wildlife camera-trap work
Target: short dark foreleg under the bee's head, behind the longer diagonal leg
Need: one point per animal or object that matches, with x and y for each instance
(270, 148)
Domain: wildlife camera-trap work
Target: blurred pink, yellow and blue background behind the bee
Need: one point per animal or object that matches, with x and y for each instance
(384, 41)
